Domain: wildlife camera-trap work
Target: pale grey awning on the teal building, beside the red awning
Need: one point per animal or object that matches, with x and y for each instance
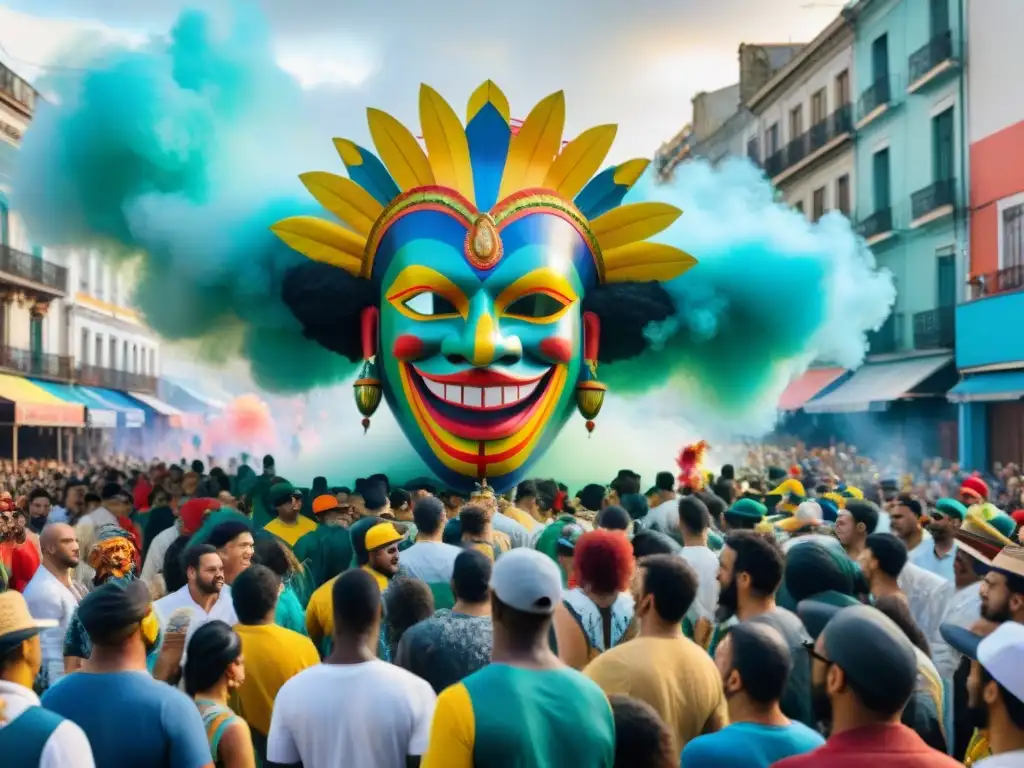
(874, 387)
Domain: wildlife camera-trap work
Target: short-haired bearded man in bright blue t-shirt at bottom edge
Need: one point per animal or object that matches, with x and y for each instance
(755, 663)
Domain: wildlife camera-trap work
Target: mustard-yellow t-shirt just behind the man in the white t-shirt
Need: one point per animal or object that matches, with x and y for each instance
(274, 656)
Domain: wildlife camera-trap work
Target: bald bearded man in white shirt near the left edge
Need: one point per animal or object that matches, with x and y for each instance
(54, 595)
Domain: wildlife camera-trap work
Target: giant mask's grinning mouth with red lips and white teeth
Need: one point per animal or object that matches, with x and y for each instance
(482, 404)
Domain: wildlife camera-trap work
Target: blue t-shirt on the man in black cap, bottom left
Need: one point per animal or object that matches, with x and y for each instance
(133, 720)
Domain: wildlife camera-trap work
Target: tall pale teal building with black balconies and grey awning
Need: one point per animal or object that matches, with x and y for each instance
(911, 205)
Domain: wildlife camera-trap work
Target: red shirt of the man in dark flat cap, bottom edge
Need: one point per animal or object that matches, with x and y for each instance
(871, 747)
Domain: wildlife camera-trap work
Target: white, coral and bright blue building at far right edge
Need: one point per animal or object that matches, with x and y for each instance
(990, 348)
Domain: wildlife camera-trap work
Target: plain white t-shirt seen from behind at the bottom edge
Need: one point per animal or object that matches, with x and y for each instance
(370, 714)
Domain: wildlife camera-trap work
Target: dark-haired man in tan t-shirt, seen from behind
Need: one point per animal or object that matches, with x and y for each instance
(661, 666)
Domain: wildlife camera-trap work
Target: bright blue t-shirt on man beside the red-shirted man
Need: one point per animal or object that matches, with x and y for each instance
(750, 746)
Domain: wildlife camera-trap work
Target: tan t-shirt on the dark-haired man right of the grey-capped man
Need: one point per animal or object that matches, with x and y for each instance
(674, 675)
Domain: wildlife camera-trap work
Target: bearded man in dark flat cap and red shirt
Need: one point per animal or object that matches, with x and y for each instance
(864, 674)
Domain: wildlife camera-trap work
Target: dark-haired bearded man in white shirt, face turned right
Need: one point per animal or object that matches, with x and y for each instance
(205, 596)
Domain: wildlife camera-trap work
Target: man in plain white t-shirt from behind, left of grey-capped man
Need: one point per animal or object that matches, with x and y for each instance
(354, 710)
